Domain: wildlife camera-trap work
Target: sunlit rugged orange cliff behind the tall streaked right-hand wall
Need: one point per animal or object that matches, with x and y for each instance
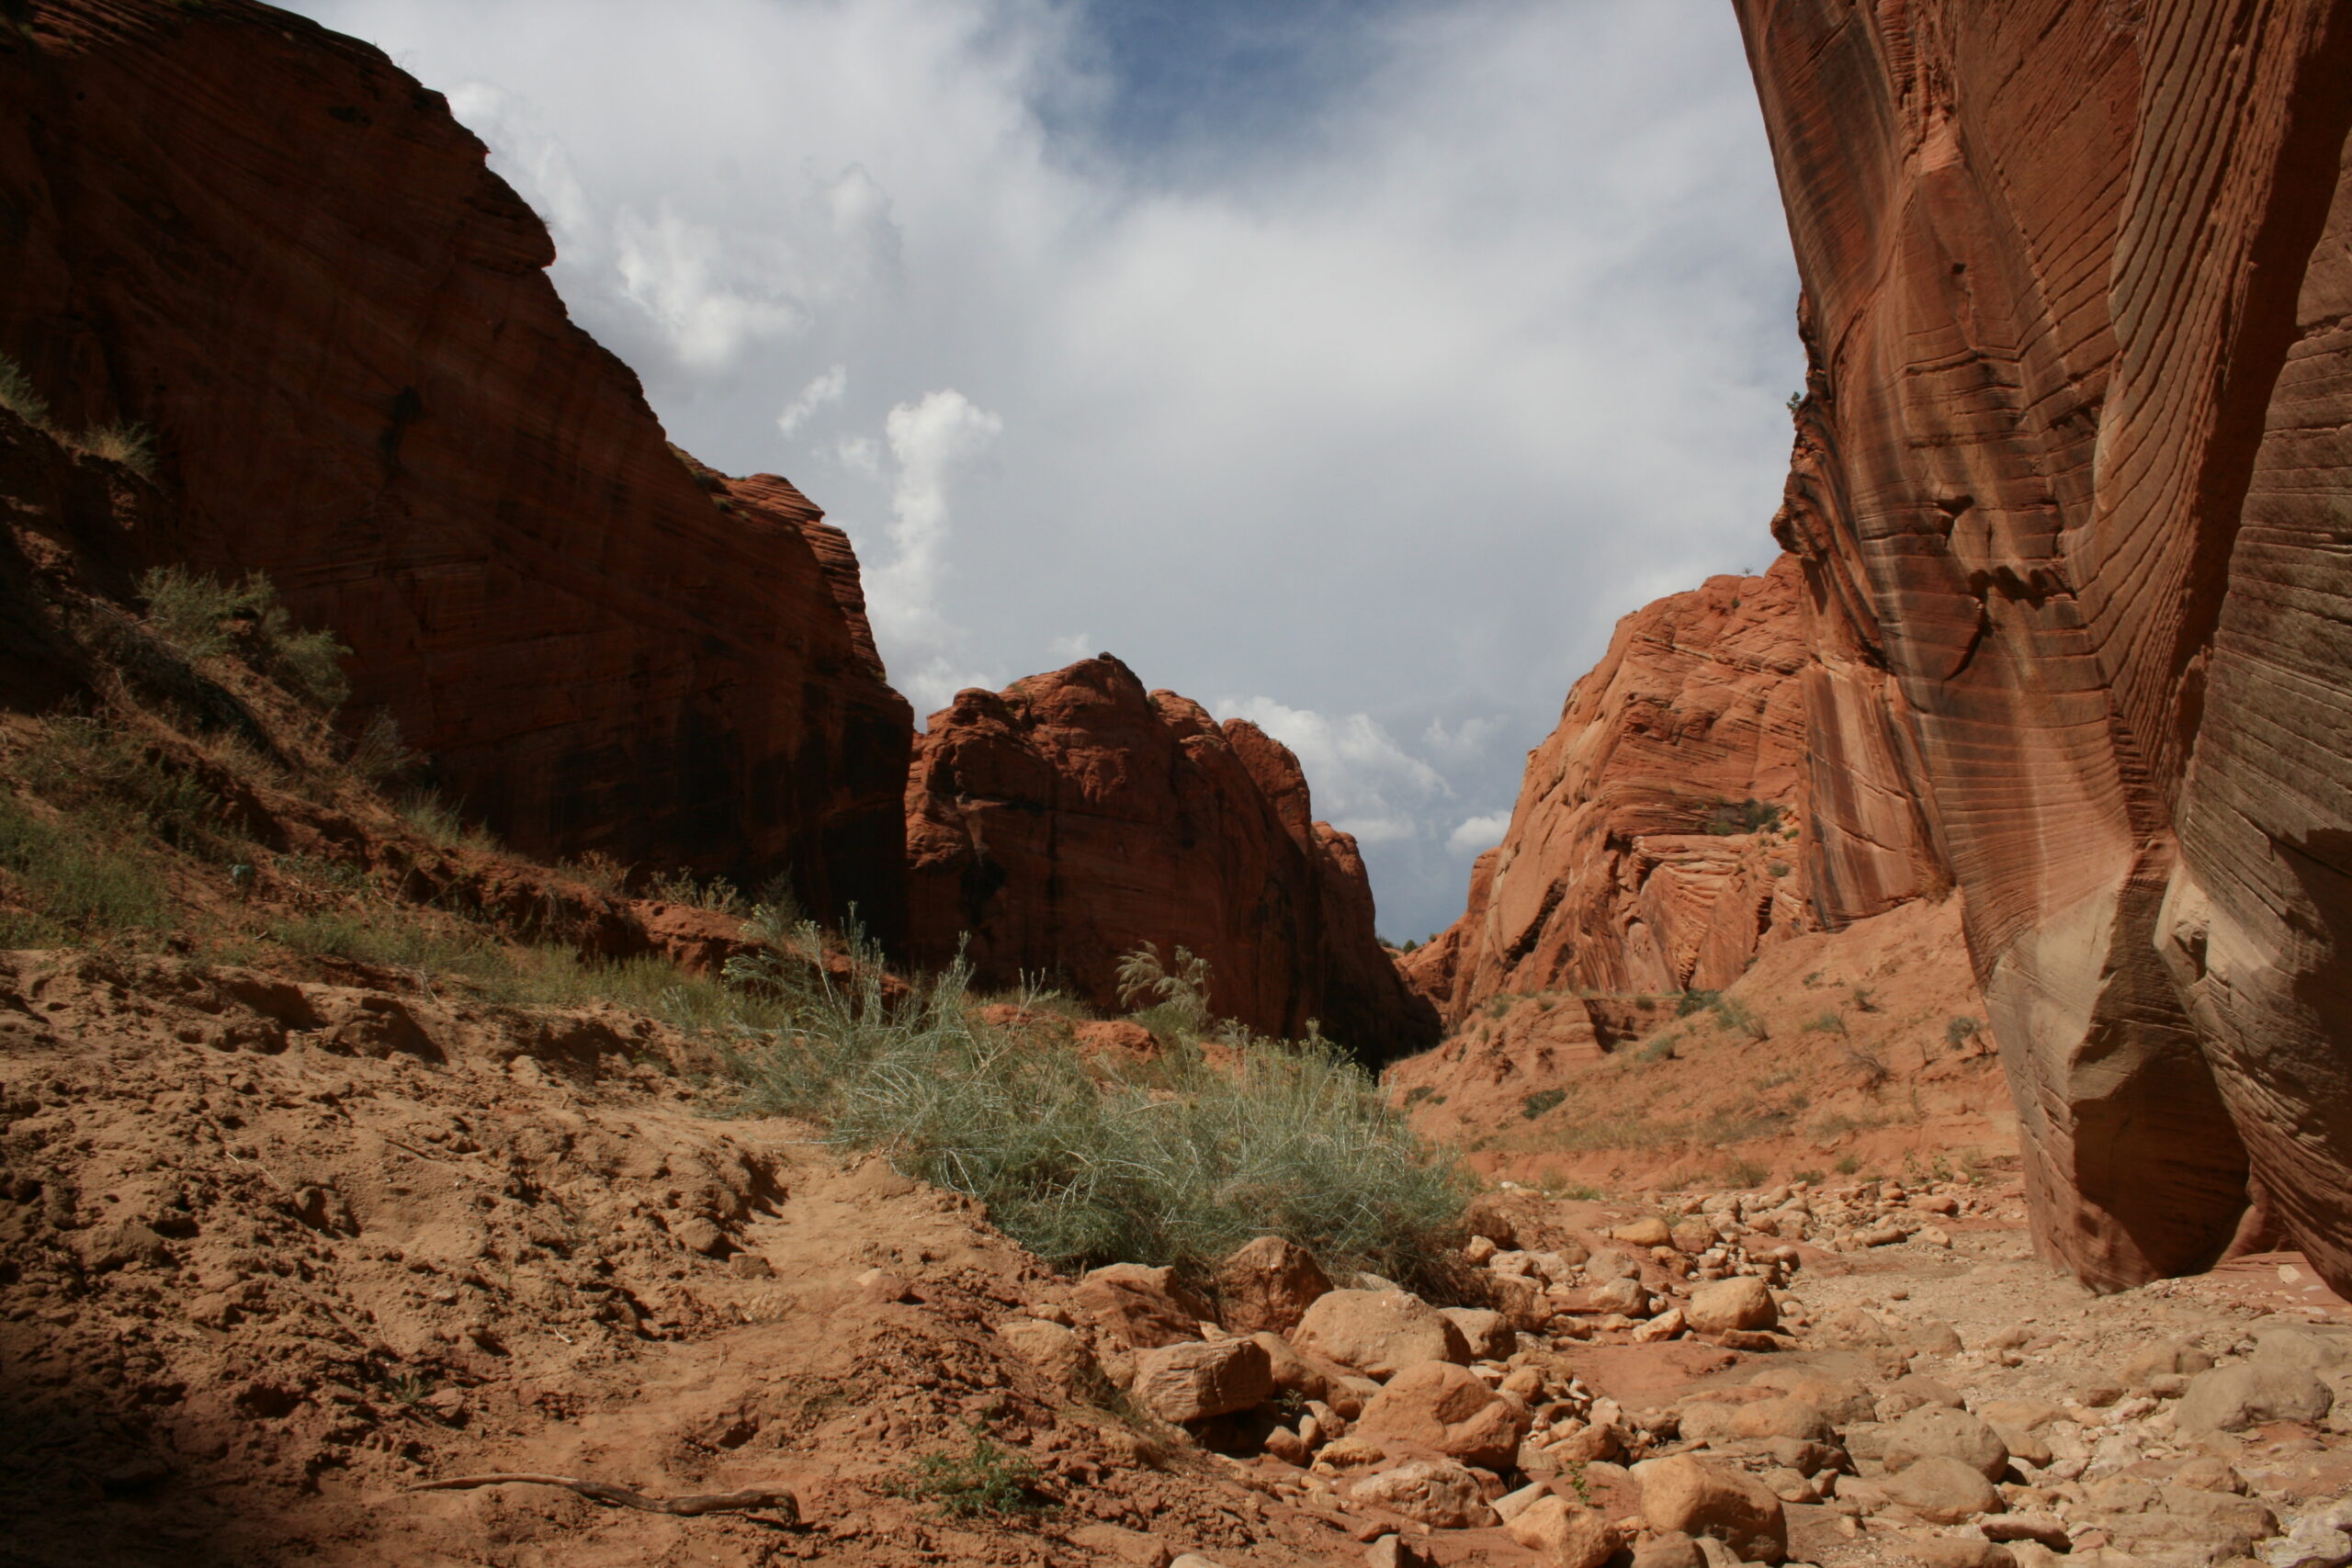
(1655, 845)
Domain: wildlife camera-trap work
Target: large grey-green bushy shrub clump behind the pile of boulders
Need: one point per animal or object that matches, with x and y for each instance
(1172, 1162)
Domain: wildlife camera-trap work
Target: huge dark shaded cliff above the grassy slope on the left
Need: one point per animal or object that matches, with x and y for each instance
(286, 257)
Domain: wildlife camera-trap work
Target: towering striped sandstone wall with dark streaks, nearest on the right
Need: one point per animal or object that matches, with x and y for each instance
(2073, 476)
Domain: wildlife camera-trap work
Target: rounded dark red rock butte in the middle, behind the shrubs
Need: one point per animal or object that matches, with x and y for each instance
(1071, 817)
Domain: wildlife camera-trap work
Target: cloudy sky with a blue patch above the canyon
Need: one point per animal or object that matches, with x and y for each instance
(1349, 366)
